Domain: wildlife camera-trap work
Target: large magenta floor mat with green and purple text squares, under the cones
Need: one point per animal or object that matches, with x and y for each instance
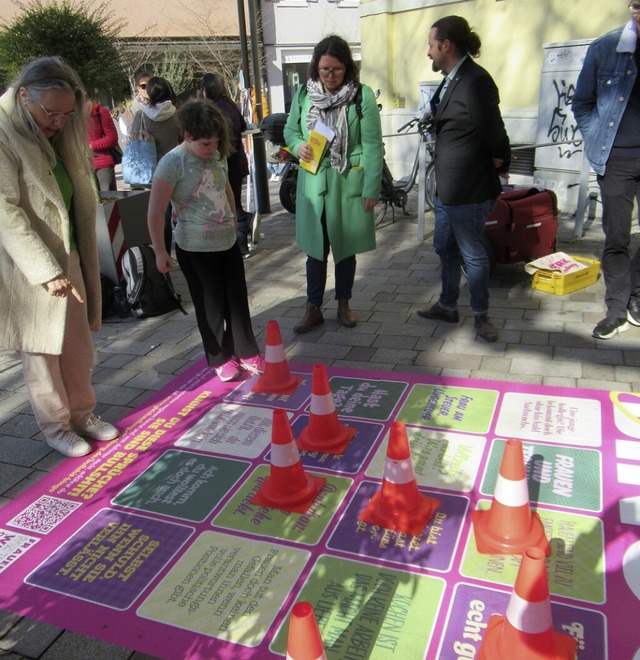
(152, 541)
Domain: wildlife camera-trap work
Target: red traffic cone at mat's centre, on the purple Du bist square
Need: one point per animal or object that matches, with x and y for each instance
(398, 505)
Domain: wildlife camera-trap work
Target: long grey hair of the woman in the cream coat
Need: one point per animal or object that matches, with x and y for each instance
(41, 76)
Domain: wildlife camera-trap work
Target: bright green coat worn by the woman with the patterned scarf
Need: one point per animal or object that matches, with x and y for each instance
(351, 230)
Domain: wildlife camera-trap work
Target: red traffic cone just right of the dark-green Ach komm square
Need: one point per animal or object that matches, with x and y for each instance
(288, 487)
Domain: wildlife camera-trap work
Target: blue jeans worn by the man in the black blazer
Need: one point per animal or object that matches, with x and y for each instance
(459, 237)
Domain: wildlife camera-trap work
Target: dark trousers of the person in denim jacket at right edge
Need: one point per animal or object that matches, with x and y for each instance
(619, 186)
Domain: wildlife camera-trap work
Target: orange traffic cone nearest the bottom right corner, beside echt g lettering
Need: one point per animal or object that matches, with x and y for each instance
(527, 630)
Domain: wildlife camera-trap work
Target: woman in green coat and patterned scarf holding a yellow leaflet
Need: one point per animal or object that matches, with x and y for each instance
(334, 207)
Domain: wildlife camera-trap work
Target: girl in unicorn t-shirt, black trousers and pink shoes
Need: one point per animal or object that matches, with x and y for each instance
(193, 176)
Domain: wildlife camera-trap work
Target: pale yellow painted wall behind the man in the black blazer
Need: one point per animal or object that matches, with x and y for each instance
(513, 32)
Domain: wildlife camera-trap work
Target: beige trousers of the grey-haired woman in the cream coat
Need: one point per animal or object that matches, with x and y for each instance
(59, 386)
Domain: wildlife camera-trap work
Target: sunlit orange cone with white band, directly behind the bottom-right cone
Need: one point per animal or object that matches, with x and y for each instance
(509, 527)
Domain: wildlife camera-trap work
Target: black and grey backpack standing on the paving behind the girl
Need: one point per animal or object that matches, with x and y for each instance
(149, 292)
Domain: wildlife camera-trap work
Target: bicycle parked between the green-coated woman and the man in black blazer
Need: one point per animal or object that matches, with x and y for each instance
(393, 193)
